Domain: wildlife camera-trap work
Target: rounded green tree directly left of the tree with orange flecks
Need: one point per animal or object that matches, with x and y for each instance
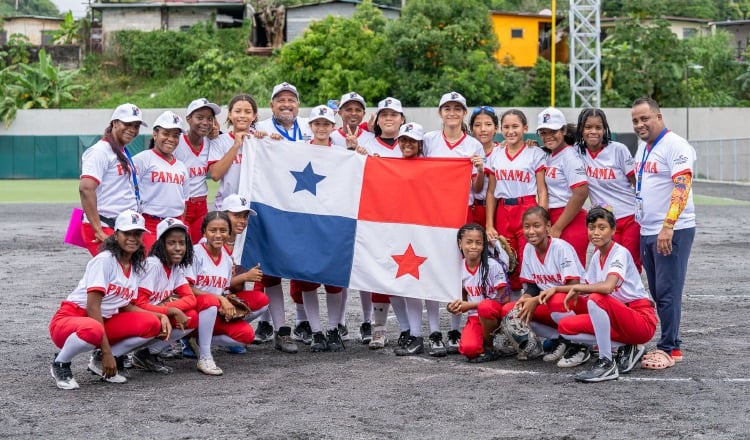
(337, 55)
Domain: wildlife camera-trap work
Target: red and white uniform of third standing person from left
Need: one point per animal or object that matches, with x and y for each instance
(196, 163)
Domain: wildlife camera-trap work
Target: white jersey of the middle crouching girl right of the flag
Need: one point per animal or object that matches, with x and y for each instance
(557, 266)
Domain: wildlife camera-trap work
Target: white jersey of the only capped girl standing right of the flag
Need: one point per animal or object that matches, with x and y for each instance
(565, 171)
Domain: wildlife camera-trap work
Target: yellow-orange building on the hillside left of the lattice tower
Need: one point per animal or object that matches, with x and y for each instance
(525, 37)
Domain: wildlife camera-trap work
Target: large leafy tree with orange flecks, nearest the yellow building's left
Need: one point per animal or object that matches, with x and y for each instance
(443, 45)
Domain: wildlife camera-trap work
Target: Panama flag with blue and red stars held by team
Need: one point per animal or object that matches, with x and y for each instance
(336, 217)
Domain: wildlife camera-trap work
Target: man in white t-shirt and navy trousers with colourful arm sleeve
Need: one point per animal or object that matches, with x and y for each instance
(664, 170)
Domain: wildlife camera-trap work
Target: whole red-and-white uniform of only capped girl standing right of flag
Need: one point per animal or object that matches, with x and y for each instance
(565, 171)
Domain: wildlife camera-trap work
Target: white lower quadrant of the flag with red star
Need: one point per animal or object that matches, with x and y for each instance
(407, 260)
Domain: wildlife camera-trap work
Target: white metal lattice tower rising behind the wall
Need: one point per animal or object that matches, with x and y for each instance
(585, 54)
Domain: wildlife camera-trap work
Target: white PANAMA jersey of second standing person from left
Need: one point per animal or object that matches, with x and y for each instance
(163, 184)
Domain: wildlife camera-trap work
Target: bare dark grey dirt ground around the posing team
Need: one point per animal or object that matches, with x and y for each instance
(373, 394)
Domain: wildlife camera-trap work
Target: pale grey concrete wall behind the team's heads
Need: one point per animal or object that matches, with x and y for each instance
(705, 123)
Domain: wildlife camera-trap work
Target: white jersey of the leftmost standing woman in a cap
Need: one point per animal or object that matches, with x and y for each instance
(115, 192)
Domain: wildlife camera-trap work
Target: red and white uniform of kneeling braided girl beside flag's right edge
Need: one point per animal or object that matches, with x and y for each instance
(471, 343)
